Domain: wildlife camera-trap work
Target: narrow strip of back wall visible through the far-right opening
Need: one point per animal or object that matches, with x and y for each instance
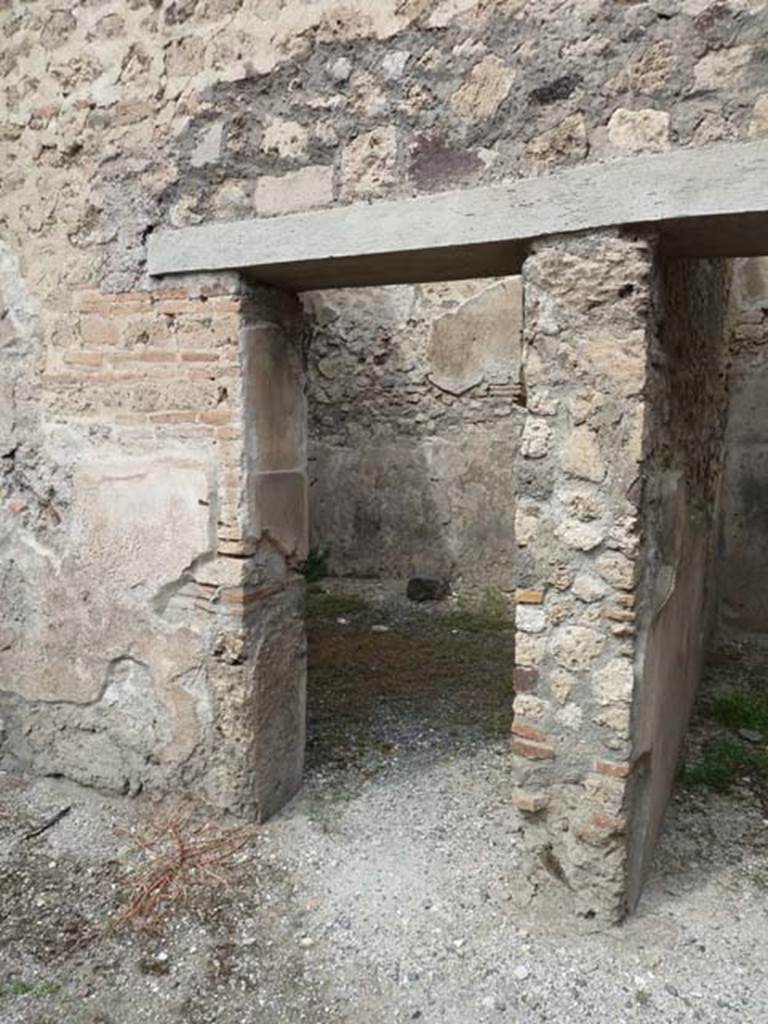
(743, 565)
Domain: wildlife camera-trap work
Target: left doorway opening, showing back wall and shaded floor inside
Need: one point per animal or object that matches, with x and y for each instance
(414, 423)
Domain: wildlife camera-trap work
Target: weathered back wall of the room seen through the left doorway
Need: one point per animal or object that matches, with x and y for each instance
(413, 423)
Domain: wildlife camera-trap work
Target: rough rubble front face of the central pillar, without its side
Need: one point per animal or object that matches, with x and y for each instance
(587, 308)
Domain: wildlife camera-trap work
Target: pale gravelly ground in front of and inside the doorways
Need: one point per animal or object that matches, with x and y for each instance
(390, 889)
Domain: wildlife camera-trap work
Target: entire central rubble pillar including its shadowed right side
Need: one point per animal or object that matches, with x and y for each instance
(619, 483)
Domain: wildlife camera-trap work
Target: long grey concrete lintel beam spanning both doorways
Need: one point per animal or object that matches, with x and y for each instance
(708, 202)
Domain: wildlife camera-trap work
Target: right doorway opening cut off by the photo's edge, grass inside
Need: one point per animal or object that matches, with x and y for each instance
(728, 747)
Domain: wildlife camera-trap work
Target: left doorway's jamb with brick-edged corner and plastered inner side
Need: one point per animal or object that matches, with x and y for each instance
(264, 532)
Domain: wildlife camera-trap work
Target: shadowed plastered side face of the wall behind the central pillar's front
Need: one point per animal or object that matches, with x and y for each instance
(684, 459)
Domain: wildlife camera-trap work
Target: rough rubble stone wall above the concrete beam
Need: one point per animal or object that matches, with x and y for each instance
(119, 118)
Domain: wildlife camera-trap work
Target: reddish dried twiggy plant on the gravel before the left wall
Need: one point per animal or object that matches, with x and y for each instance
(178, 855)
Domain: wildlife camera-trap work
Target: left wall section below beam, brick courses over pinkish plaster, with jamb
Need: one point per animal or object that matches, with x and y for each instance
(164, 645)
